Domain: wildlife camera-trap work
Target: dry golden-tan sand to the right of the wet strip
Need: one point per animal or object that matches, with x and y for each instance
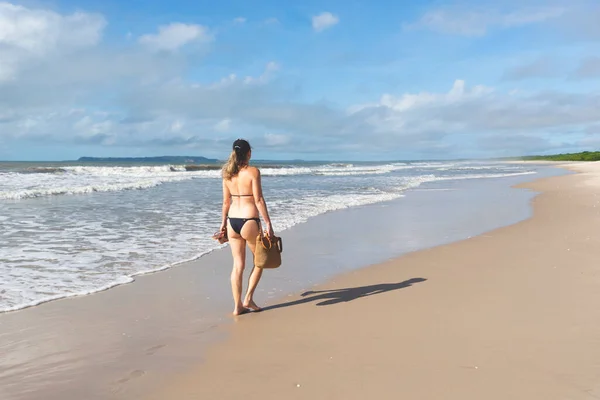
(512, 314)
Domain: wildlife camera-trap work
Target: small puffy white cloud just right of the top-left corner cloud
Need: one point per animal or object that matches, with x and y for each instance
(176, 35)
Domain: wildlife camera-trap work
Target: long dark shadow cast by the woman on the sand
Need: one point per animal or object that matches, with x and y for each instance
(336, 296)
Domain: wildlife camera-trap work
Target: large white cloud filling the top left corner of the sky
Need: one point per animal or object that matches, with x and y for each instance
(27, 35)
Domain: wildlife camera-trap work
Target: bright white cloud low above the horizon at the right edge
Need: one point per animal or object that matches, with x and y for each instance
(480, 116)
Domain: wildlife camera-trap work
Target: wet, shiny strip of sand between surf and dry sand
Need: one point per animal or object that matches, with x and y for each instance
(133, 339)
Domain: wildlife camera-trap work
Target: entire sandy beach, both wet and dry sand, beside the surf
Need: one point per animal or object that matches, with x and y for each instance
(468, 295)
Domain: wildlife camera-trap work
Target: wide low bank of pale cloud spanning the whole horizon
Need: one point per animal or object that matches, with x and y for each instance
(491, 122)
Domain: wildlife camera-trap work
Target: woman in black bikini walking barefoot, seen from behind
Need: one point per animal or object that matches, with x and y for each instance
(242, 202)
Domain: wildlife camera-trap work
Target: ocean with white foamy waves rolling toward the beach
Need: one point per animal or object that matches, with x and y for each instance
(71, 229)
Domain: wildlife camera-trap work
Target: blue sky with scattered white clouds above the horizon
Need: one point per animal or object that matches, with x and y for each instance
(353, 80)
